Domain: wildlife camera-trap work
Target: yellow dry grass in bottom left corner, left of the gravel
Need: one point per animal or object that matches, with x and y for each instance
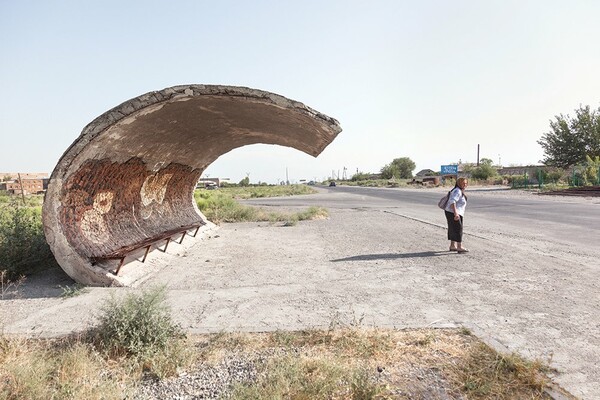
(74, 368)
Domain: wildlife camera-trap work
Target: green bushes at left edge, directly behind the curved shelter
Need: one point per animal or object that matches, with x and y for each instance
(23, 247)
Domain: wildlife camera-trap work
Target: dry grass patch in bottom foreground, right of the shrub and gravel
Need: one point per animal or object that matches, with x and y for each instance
(358, 363)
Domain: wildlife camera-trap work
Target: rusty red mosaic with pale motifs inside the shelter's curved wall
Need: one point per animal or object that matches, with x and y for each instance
(108, 205)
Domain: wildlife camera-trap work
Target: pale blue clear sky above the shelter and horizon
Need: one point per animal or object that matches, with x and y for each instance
(427, 80)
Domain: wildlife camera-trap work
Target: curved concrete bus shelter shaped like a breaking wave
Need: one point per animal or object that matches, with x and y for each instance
(129, 177)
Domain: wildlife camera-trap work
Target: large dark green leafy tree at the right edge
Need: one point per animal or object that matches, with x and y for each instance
(570, 140)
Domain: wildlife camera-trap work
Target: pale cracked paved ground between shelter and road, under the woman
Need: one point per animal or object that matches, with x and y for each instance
(378, 266)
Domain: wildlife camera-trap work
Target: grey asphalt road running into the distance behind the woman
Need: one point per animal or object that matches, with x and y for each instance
(568, 222)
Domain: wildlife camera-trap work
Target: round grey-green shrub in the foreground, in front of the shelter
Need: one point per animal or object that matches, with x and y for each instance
(138, 325)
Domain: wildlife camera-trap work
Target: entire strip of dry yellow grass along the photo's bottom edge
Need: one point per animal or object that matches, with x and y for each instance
(340, 363)
